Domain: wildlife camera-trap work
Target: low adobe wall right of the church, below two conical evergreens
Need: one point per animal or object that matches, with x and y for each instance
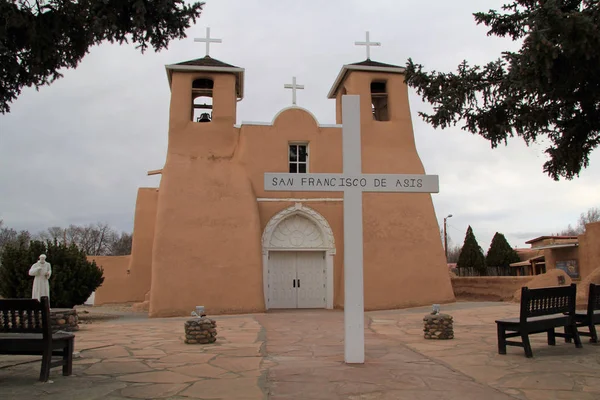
(492, 288)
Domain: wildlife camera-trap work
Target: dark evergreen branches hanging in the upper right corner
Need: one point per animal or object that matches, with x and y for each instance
(546, 92)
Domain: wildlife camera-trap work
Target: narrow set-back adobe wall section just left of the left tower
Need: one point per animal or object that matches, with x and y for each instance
(143, 237)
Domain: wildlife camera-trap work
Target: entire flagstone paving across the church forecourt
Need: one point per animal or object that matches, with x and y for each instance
(299, 355)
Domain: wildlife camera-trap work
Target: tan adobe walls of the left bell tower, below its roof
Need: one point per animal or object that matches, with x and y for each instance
(207, 234)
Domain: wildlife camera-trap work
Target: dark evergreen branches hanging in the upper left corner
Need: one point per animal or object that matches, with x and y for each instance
(39, 40)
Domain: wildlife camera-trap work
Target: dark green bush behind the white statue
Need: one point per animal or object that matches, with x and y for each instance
(73, 279)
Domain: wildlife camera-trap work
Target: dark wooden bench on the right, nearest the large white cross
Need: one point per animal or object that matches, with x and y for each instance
(542, 310)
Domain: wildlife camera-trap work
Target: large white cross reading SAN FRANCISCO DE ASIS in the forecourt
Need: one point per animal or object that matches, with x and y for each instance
(352, 182)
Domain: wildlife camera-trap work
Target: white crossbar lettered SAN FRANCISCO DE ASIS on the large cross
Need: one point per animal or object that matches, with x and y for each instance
(363, 182)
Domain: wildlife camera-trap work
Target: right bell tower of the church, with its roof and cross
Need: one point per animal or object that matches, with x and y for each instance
(398, 226)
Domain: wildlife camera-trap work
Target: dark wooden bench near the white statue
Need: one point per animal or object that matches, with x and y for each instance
(25, 329)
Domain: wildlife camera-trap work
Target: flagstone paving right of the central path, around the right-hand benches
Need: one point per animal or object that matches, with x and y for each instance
(559, 372)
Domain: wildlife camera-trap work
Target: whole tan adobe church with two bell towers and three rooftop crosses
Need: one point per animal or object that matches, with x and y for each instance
(211, 235)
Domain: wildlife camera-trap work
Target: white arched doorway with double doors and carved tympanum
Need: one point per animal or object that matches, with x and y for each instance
(298, 249)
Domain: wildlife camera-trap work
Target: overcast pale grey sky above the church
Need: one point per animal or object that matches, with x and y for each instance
(76, 151)
